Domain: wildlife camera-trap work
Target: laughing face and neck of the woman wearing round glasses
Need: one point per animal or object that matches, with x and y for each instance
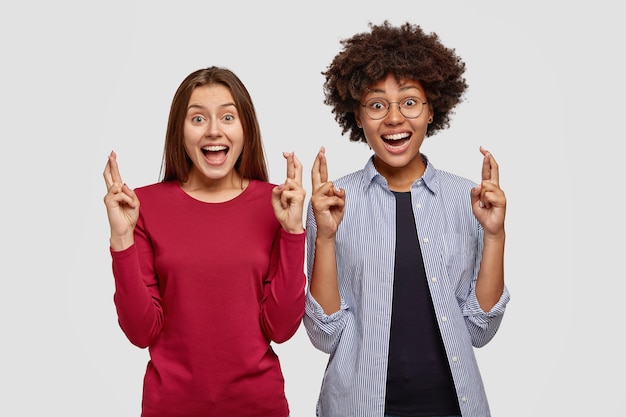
(395, 138)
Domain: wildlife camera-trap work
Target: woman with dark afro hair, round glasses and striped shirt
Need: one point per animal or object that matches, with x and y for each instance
(405, 262)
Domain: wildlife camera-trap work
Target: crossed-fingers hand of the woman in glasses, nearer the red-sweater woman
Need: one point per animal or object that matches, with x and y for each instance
(327, 201)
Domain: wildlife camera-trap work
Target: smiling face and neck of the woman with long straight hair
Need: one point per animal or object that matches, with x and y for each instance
(214, 136)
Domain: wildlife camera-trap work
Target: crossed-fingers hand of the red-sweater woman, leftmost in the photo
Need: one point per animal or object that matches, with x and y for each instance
(122, 206)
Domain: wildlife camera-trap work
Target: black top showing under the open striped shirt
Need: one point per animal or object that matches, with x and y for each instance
(419, 381)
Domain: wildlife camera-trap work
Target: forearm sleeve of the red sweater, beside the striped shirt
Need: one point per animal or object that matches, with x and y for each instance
(282, 305)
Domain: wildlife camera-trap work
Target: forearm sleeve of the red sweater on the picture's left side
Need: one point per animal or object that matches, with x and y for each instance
(137, 298)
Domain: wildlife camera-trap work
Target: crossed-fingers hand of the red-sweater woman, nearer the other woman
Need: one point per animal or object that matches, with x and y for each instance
(288, 198)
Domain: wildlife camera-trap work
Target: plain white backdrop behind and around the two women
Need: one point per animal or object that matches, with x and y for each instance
(79, 79)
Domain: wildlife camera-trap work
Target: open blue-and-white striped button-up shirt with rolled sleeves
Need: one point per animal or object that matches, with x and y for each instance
(357, 336)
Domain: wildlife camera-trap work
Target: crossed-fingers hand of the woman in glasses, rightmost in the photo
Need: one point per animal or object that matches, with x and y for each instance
(488, 199)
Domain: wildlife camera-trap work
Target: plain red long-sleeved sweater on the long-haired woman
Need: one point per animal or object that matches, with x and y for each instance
(206, 287)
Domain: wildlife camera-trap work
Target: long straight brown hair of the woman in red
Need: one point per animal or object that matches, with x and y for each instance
(176, 163)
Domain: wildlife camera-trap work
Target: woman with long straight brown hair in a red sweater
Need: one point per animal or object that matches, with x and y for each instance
(209, 262)
